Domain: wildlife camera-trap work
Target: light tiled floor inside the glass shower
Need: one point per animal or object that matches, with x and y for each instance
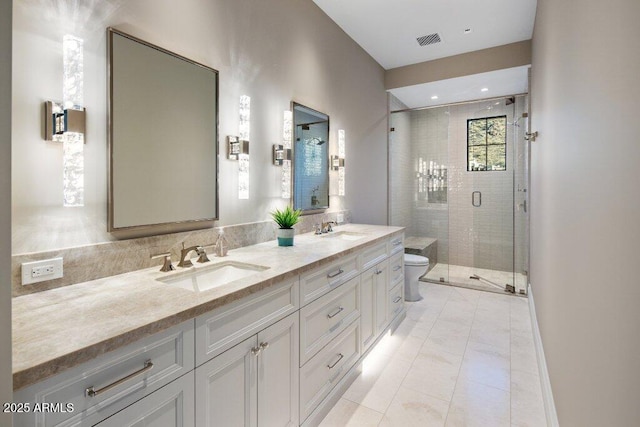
(460, 275)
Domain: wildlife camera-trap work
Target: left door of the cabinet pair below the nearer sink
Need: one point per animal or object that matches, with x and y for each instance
(226, 389)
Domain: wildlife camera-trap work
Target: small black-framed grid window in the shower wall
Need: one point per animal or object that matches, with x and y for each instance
(487, 144)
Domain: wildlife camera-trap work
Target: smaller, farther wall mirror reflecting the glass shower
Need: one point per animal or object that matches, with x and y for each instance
(310, 159)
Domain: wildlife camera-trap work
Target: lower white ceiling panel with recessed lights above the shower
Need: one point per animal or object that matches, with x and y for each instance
(511, 81)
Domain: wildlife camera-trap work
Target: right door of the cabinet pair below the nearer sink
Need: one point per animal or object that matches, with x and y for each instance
(278, 373)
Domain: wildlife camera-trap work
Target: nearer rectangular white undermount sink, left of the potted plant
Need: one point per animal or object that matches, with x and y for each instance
(205, 278)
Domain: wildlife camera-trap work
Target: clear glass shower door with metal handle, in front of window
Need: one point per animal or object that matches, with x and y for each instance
(491, 228)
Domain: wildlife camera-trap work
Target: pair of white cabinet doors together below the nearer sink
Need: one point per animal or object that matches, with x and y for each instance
(254, 383)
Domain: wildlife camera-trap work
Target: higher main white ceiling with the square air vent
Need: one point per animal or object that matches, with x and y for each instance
(388, 29)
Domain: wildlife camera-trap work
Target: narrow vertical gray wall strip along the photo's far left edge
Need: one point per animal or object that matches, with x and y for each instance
(5, 208)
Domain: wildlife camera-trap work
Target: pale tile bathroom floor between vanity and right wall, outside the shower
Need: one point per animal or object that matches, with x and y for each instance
(462, 357)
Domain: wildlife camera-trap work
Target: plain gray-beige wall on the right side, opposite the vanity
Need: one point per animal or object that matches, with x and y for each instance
(585, 209)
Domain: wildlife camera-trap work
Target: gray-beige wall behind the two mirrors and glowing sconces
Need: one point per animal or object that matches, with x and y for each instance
(275, 52)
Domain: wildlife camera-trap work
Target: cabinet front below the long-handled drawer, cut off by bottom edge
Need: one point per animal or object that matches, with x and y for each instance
(170, 406)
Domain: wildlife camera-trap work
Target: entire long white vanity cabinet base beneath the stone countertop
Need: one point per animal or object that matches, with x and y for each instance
(280, 356)
